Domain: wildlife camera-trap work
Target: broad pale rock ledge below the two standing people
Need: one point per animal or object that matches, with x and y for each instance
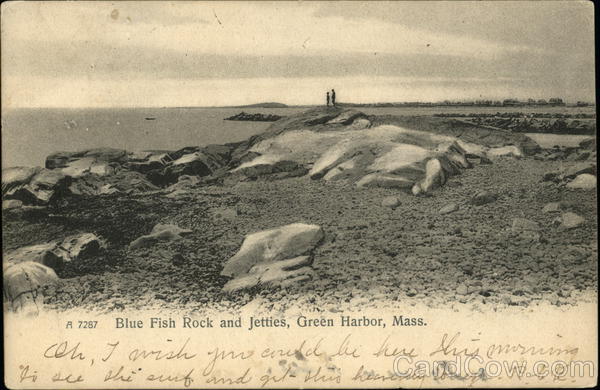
(383, 156)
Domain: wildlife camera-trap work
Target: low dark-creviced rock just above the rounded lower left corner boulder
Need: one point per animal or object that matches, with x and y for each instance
(55, 253)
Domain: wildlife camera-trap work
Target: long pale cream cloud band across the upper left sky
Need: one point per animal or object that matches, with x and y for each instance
(236, 29)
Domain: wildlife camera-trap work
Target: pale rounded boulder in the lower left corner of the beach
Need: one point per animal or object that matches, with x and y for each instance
(22, 285)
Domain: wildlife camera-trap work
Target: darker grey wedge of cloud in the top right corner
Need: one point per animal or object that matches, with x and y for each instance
(555, 26)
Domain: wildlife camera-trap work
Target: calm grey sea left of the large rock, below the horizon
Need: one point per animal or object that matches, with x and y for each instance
(29, 135)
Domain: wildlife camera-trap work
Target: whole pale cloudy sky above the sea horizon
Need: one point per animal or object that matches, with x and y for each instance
(155, 54)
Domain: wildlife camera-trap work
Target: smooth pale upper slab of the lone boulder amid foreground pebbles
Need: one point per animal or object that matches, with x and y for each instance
(277, 244)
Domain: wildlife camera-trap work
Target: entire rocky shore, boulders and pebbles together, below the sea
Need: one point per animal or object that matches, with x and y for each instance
(96, 217)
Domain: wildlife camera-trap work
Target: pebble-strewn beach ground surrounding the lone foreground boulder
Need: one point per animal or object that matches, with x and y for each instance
(371, 255)
